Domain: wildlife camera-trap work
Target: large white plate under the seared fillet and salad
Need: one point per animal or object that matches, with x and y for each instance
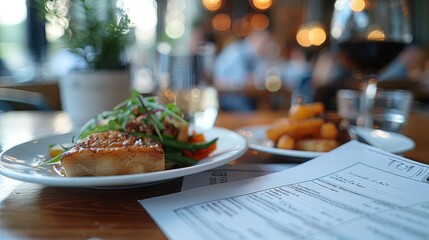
(18, 163)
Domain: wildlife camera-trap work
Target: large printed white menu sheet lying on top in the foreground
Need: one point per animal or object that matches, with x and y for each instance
(353, 192)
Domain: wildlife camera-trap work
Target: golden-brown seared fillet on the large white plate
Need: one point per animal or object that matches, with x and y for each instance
(113, 153)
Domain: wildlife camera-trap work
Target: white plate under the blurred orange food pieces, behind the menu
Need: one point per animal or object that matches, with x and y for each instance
(388, 141)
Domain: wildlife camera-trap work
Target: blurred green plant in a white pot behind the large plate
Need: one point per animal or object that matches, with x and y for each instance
(99, 33)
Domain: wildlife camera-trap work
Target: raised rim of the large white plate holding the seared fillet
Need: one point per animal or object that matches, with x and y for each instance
(124, 180)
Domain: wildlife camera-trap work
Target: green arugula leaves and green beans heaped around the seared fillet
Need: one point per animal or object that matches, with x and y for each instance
(154, 115)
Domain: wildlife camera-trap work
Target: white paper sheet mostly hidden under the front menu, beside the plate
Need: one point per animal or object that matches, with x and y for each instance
(230, 173)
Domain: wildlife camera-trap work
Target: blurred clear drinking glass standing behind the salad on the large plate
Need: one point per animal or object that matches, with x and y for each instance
(185, 78)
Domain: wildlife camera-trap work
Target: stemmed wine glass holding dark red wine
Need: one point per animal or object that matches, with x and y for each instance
(368, 35)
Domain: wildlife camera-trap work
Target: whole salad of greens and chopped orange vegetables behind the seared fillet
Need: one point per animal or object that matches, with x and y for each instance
(144, 117)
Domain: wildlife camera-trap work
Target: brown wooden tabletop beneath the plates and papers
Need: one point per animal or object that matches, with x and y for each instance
(31, 211)
